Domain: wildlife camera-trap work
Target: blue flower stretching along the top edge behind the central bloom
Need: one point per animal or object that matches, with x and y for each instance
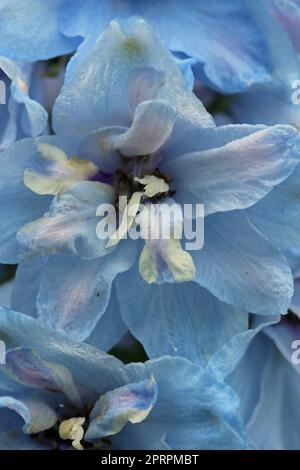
(222, 36)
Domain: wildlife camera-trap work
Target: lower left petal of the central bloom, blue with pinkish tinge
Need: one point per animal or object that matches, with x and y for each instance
(75, 303)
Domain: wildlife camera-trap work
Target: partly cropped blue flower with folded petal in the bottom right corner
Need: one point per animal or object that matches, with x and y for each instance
(262, 365)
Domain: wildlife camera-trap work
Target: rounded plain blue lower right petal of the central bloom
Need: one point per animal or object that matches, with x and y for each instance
(240, 267)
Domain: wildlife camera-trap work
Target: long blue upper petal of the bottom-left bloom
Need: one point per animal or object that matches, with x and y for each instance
(96, 370)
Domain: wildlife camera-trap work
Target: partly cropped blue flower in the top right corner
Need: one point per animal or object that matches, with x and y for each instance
(272, 103)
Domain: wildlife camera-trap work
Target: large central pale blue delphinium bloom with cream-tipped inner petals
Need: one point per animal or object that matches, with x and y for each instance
(124, 115)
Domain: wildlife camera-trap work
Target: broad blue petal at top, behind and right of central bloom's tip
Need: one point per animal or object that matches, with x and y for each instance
(223, 37)
